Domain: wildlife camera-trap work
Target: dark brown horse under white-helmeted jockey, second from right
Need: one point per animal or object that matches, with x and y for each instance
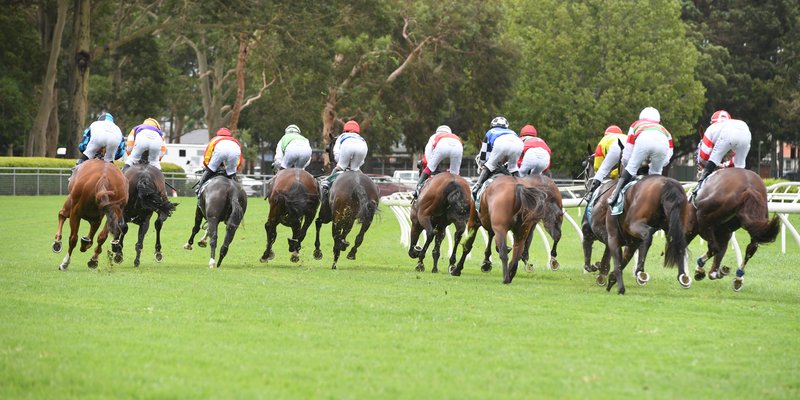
(655, 202)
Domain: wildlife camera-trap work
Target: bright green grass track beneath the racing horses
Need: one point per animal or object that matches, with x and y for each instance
(375, 328)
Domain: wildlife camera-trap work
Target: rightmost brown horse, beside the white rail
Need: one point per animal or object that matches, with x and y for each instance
(730, 199)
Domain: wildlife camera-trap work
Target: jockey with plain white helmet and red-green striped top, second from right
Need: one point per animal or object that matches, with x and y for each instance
(647, 141)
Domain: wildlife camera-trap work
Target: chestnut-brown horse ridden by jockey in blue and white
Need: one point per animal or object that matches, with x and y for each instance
(507, 204)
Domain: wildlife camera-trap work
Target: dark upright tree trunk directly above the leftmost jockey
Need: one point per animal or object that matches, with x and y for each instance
(79, 75)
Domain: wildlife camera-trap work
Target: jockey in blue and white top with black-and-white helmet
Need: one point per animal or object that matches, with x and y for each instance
(500, 145)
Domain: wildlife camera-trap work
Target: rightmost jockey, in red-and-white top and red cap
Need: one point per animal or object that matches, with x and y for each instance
(724, 135)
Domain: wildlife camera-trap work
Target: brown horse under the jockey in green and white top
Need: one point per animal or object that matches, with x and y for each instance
(293, 202)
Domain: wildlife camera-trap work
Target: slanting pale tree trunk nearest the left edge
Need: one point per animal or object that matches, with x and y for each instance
(37, 142)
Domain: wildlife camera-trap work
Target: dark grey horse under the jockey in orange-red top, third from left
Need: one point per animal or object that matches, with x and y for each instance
(223, 199)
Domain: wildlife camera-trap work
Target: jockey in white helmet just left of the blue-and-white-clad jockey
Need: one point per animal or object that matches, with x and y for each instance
(443, 145)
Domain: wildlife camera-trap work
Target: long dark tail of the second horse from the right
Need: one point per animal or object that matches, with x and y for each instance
(673, 203)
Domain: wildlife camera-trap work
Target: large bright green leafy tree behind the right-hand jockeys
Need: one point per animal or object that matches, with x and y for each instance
(587, 65)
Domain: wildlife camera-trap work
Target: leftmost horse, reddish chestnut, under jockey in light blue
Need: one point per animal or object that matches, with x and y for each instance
(96, 190)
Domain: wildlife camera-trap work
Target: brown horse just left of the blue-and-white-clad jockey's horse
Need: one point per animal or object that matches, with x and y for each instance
(445, 199)
